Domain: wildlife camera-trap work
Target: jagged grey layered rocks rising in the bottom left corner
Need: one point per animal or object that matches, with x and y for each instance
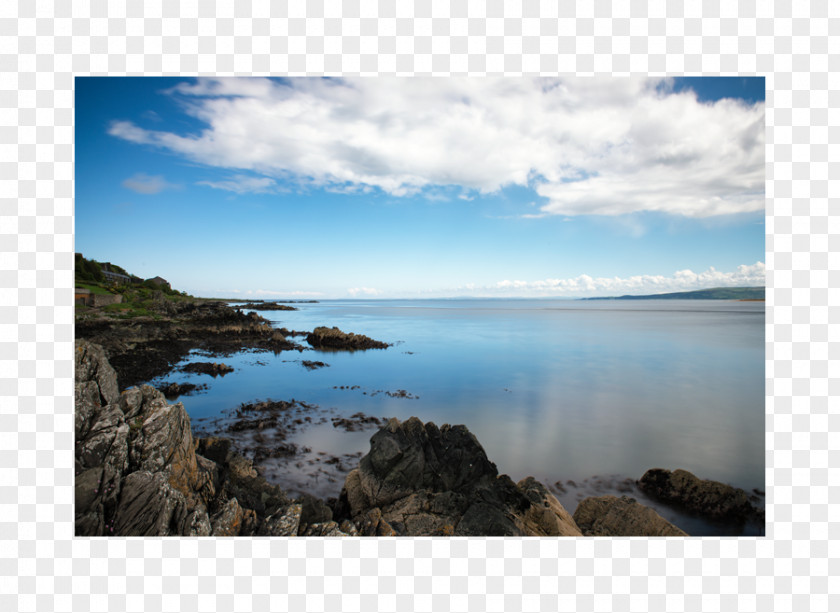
(138, 472)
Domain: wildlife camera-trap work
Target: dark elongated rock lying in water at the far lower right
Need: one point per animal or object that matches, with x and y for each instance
(712, 499)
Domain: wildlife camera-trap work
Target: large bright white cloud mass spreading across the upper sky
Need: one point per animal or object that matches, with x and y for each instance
(587, 145)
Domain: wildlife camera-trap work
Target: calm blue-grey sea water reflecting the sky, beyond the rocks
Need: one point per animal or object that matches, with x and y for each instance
(587, 392)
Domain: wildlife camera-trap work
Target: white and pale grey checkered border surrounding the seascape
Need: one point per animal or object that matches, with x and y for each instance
(43, 45)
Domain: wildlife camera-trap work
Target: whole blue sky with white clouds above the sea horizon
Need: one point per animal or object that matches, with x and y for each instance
(296, 188)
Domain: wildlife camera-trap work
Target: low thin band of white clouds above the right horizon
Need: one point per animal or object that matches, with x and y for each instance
(585, 285)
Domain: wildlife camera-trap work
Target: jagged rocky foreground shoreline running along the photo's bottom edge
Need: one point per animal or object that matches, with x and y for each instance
(140, 472)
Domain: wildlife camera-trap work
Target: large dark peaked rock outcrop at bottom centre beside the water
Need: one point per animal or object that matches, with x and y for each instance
(423, 480)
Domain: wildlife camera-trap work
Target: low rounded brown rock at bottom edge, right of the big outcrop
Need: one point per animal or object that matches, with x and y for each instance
(613, 516)
